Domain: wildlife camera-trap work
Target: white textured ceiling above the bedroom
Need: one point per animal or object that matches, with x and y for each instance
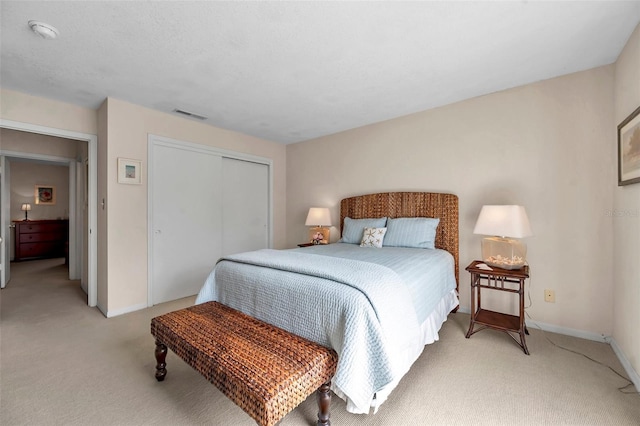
(293, 71)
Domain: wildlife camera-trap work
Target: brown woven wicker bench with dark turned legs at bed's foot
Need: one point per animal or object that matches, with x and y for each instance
(265, 370)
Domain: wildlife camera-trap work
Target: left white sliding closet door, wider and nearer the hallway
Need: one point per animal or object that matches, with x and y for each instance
(185, 219)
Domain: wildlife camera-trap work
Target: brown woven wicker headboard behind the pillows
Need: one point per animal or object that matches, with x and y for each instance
(410, 204)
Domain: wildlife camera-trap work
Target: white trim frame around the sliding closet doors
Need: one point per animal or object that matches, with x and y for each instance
(155, 140)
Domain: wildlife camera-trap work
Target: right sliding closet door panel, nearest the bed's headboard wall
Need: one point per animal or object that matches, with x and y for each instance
(245, 206)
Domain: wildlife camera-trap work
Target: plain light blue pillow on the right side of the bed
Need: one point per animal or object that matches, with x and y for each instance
(413, 232)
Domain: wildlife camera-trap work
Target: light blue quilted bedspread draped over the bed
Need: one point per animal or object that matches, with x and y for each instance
(364, 310)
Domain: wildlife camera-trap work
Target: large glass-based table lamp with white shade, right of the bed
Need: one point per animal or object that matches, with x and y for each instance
(504, 223)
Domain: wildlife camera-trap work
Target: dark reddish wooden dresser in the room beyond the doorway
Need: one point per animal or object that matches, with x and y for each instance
(40, 239)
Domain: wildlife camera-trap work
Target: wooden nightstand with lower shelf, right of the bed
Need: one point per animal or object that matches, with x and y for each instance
(501, 280)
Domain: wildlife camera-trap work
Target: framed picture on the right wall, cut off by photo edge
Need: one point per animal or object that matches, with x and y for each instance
(629, 149)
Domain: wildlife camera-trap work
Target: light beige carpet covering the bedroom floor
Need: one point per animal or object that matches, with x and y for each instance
(62, 363)
